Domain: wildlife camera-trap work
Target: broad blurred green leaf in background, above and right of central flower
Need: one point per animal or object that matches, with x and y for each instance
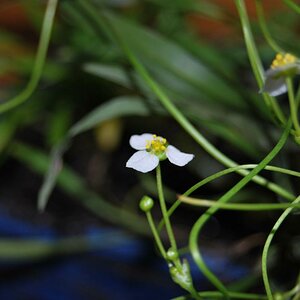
(174, 67)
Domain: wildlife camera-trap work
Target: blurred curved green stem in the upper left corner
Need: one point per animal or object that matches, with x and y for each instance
(39, 60)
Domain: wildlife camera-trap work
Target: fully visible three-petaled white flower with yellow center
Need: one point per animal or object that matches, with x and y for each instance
(152, 149)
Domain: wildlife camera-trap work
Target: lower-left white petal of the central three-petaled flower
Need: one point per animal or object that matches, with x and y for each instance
(143, 161)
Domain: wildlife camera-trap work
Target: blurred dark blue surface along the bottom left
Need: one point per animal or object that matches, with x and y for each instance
(126, 269)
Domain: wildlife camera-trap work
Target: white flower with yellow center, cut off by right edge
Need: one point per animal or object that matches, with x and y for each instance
(284, 65)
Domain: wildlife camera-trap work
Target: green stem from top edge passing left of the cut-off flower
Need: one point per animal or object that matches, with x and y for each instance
(255, 60)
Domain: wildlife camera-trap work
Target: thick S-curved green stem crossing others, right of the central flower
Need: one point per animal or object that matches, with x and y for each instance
(193, 240)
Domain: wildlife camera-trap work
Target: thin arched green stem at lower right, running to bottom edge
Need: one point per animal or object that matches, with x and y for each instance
(267, 246)
